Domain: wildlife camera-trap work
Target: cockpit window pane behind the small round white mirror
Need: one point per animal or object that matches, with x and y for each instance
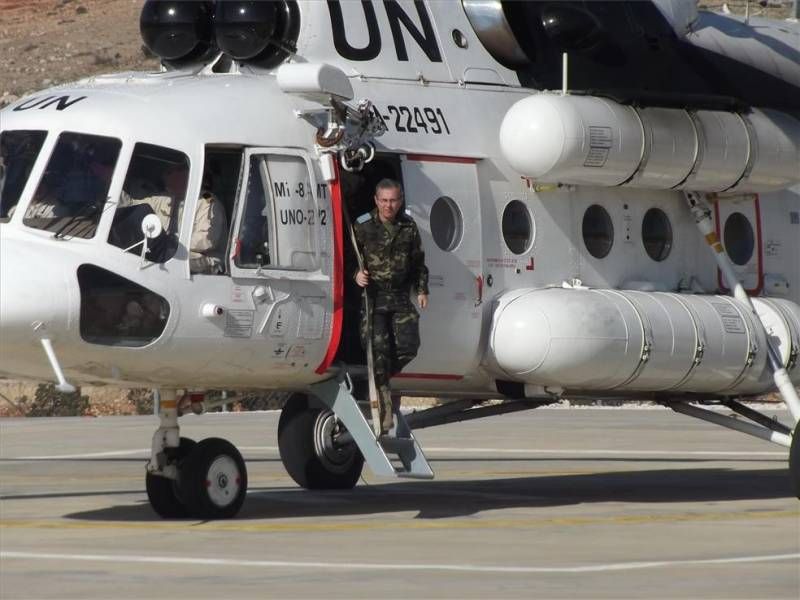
(155, 184)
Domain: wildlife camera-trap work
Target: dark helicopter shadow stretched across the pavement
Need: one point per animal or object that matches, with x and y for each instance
(444, 499)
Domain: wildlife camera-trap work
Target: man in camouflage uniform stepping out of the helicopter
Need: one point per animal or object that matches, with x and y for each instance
(394, 265)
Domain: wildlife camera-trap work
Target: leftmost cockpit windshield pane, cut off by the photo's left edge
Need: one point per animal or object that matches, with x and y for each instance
(18, 152)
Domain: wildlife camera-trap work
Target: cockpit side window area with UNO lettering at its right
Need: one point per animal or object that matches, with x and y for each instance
(278, 215)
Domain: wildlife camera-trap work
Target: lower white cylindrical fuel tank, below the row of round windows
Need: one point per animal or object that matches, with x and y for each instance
(584, 339)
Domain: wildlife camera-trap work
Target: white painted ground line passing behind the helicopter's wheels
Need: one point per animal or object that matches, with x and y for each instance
(457, 450)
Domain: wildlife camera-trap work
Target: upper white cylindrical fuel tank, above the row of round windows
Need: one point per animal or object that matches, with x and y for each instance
(586, 140)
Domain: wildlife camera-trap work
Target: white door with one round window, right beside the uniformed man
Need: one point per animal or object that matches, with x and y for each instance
(442, 197)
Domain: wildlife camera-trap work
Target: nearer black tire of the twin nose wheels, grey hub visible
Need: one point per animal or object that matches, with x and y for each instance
(213, 480)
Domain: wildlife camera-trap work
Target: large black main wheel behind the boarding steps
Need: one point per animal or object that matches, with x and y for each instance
(305, 441)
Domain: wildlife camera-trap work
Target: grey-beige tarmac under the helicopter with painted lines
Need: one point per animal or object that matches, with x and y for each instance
(551, 503)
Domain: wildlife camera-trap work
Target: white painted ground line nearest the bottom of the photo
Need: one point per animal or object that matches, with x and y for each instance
(359, 566)
